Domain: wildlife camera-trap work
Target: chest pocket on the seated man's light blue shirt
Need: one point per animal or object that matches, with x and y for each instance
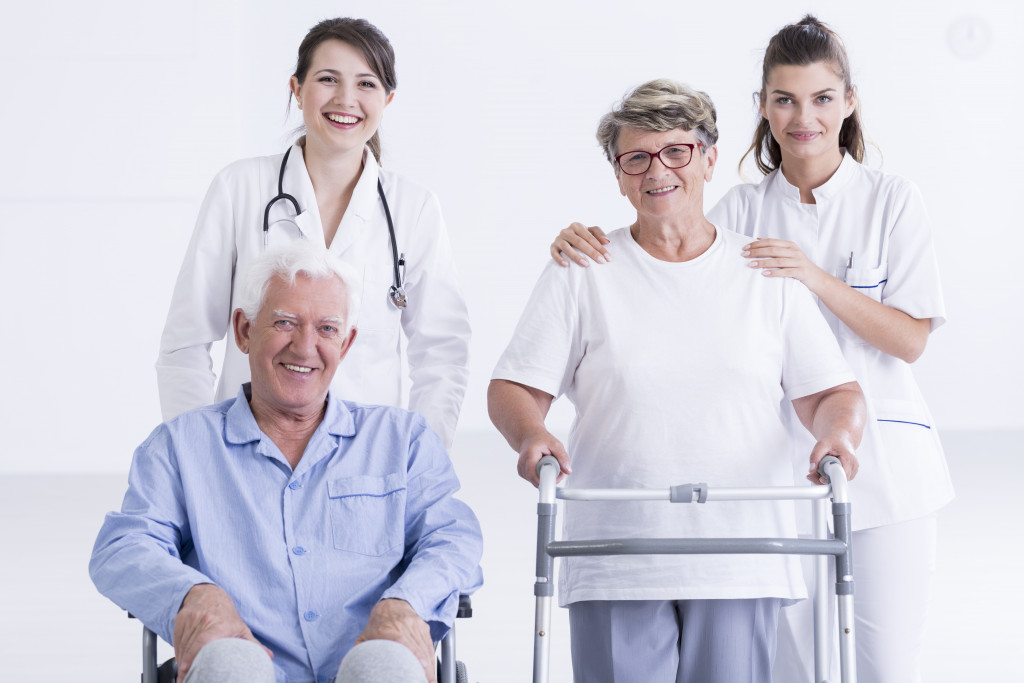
(368, 514)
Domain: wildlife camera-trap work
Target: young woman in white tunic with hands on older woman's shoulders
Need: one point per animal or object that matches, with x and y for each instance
(861, 241)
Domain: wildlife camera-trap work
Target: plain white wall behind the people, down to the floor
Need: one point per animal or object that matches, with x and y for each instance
(118, 113)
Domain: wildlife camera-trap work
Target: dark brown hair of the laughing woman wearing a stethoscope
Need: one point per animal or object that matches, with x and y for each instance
(362, 35)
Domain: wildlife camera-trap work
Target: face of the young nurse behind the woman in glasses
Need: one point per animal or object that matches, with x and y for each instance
(805, 108)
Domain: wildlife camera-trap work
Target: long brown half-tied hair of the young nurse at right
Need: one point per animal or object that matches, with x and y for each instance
(806, 42)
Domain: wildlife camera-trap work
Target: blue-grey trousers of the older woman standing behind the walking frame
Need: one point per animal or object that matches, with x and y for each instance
(673, 642)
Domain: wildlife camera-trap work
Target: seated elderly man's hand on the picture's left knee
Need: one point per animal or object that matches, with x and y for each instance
(207, 614)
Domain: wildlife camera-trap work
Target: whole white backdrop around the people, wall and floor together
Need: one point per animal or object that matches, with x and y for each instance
(117, 114)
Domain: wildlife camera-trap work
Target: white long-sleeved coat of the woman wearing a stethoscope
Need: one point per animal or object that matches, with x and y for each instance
(229, 235)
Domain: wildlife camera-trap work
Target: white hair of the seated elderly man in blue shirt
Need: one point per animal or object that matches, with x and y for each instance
(287, 263)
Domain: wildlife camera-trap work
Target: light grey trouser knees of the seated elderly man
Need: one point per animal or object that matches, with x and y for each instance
(237, 661)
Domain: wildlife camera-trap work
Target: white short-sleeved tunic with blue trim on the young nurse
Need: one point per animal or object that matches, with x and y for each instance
(881, 221)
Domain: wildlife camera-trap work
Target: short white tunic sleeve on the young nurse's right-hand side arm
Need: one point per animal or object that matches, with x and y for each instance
(913, 280)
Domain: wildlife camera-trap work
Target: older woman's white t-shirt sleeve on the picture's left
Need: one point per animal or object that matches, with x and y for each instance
(545, 349)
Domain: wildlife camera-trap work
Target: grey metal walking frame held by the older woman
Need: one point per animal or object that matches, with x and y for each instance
(839, 547)
